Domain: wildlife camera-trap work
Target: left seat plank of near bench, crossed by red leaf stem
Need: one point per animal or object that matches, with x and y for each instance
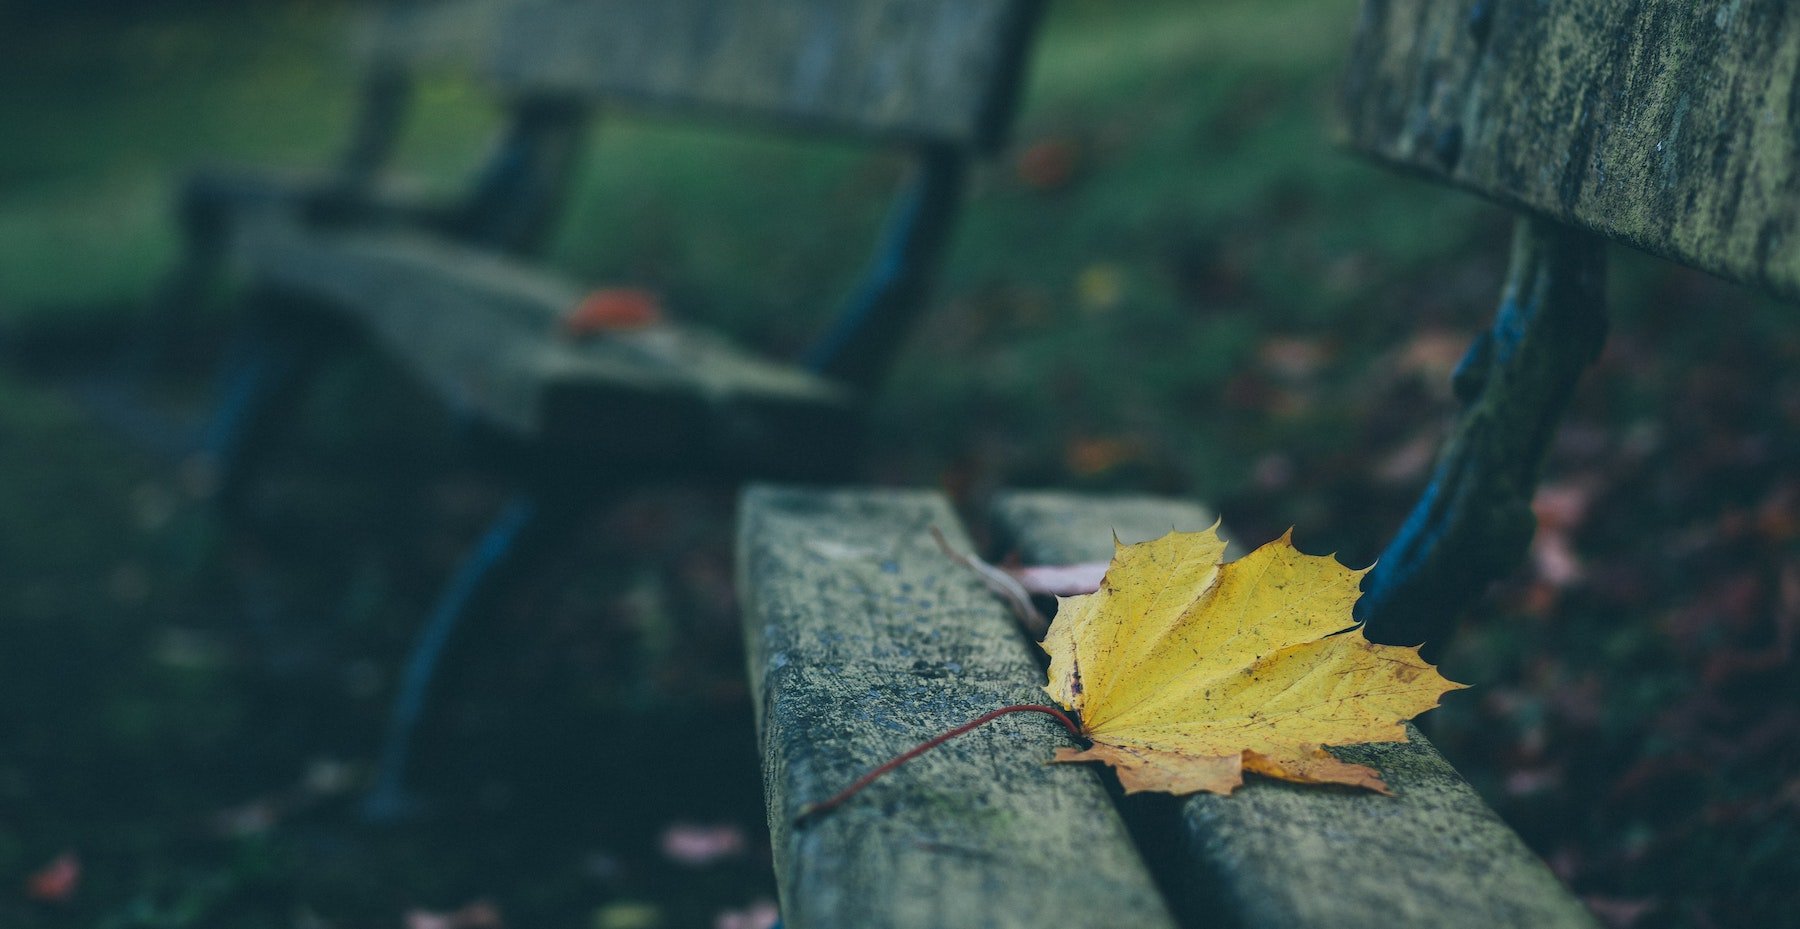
(865, 640)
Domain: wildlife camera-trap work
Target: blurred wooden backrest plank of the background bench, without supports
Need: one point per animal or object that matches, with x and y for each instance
(924, 69)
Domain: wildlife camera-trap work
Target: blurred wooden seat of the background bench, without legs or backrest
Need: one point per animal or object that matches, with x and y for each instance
(485, 334)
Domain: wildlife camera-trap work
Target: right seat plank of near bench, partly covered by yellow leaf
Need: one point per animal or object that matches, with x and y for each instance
(1279, 854)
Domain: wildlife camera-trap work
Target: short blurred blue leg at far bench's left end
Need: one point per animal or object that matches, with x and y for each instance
(264, 383)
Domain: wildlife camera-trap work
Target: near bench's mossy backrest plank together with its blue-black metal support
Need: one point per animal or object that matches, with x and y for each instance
(1664, 125)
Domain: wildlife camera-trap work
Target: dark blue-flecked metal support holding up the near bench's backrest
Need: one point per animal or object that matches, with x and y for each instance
(1475, 523)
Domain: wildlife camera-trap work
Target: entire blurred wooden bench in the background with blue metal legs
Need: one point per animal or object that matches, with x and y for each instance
(444, 293)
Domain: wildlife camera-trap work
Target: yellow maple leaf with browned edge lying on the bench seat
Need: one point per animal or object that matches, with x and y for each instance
(1187, 672)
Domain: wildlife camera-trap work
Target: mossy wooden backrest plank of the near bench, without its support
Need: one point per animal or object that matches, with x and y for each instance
(1671, 125)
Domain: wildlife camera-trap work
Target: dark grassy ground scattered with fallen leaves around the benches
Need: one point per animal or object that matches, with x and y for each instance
(1214, 303)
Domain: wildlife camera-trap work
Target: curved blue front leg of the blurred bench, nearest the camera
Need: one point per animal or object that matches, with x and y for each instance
(525, 527)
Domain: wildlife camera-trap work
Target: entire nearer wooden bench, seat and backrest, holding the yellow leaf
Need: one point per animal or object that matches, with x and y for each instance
(1664, 125)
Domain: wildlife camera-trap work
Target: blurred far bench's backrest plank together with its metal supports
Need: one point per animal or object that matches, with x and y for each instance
(935, 77)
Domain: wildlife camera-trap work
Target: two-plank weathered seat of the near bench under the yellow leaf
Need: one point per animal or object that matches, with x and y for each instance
(865, 638)
